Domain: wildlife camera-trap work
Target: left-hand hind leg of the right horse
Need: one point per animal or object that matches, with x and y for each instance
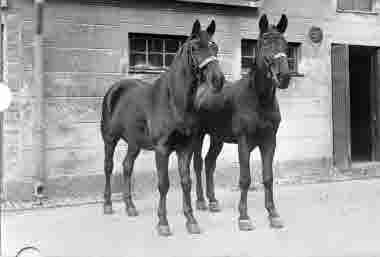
(198, 166)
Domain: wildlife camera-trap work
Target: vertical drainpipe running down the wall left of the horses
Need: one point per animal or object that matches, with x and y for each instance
(39, 117)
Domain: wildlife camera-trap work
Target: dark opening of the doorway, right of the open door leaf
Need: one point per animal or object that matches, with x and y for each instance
(360, 80)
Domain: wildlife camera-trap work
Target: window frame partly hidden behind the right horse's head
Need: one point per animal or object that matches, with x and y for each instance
(295, 45)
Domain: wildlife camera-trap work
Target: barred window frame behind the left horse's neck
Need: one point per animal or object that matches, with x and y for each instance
(147, 37)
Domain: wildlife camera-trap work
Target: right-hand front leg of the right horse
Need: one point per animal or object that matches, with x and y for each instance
(267, 150)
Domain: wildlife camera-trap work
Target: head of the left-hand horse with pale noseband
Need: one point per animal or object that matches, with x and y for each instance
(204, 51)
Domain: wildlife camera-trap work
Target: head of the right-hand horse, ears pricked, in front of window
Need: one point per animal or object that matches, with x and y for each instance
(271, 52)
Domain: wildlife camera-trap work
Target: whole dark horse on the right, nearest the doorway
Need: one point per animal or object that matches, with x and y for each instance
(248, 115)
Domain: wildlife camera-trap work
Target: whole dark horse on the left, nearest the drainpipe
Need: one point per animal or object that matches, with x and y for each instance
(161, 117)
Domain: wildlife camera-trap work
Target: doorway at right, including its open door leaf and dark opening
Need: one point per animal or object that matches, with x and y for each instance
(355, 104)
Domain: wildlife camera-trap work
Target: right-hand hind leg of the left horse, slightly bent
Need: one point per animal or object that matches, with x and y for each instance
(128, 163)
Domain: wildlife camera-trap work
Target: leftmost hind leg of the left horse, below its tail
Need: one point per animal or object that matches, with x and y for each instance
(109, 149)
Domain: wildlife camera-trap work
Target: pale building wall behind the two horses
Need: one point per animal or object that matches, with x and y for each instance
(85, 46)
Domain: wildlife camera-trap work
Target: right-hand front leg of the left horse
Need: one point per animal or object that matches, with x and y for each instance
(184, 156)
